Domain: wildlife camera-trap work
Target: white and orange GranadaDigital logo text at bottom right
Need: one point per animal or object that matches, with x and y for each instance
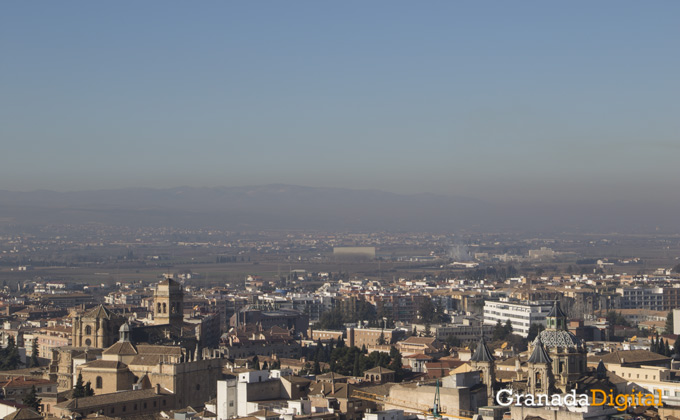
(597, 398)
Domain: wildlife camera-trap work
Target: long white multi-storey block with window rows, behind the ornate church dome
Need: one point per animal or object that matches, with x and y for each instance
(521, 315)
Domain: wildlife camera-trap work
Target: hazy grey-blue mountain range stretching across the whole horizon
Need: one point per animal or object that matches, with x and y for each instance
(296, 207)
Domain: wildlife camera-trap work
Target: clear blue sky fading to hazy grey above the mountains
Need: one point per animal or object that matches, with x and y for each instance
(524, 100)
